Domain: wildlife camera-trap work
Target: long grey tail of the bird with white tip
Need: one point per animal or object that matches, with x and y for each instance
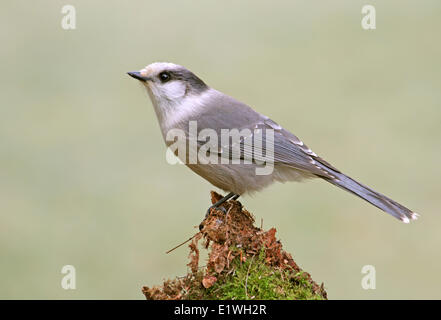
(377, 199)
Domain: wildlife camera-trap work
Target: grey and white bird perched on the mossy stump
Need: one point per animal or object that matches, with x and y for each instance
(180, 98)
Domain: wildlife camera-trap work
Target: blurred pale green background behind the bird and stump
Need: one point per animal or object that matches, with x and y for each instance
(83, 176)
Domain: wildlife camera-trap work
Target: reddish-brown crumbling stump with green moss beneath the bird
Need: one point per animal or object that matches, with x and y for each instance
(244, 262)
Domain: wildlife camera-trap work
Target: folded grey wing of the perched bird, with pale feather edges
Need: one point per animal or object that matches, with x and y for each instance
(227, 113)
